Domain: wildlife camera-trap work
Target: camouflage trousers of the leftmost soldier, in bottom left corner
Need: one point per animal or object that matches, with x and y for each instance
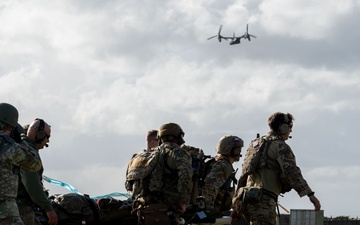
(9, 213)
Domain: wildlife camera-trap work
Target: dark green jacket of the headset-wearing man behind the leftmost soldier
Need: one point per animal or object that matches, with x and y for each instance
(31, 190)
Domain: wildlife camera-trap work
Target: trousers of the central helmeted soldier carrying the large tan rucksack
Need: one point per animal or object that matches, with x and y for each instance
(156, 214)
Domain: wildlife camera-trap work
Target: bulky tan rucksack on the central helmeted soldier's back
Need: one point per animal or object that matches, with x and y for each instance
(145, 172)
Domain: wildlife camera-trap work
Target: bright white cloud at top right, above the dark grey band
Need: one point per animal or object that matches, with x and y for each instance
(306, 19)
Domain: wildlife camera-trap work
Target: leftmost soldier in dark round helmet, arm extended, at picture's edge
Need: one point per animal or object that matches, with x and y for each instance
(12, 155)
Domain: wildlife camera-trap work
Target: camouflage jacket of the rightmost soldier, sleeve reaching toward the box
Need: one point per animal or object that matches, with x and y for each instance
(280, 174)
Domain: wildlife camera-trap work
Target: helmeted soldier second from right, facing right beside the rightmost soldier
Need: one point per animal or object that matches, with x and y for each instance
(217, 189)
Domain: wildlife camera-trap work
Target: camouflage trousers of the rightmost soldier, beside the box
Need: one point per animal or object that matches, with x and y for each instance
(262, 212)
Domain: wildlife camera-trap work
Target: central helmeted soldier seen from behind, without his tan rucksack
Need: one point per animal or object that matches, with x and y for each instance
(165, 206)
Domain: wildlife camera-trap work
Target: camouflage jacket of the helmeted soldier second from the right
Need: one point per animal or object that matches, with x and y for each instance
(213, 190)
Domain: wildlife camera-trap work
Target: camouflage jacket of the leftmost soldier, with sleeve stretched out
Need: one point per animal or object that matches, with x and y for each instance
(13, 155)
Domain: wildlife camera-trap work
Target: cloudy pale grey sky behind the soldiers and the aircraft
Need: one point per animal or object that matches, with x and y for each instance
(102, 73)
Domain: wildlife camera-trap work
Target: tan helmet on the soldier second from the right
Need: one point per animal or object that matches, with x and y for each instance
(228, 143)
